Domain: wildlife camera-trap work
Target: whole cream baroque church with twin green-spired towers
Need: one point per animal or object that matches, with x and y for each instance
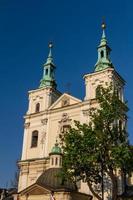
(50, 113)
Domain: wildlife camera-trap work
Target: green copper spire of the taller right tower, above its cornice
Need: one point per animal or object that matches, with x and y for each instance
(104, 50)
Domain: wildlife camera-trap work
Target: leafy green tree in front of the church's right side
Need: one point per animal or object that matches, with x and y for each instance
(96, 151)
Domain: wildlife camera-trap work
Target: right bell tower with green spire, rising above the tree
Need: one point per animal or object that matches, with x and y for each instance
(104, 71)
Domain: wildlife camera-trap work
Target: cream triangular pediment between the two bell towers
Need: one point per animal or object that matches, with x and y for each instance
(65, 100)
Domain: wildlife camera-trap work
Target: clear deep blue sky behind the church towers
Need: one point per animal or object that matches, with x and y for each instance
(26, 27)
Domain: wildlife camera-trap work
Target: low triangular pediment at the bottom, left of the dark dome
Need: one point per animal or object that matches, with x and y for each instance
(35, 189)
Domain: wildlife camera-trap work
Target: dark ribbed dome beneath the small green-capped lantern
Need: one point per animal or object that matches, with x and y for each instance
(52, 179)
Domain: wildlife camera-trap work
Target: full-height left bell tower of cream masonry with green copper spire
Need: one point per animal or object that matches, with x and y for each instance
(34, 152)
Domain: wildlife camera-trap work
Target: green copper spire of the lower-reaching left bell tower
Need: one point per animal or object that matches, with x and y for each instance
(49, 69)
